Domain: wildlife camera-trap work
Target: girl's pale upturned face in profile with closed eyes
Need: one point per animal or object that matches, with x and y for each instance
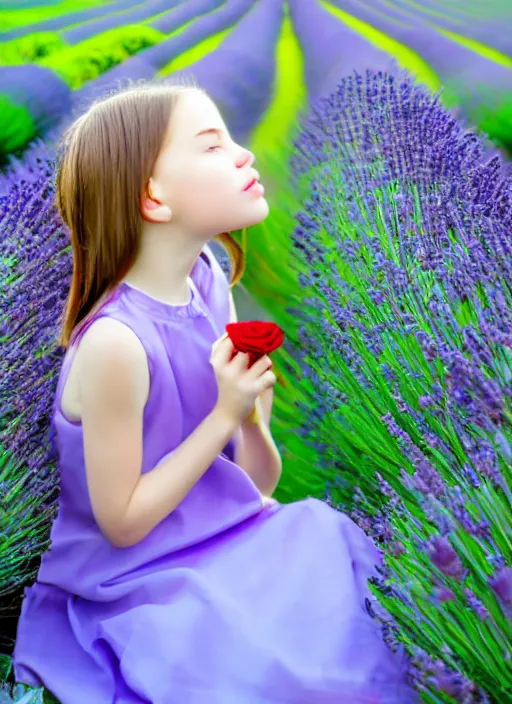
(206, 180)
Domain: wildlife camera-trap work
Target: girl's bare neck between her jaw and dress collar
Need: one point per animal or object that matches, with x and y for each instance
(164, 263)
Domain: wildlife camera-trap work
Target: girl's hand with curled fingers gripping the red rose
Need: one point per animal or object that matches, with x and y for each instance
(238, 386)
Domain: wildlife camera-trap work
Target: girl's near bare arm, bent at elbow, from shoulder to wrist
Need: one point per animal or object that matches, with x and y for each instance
(113, 387)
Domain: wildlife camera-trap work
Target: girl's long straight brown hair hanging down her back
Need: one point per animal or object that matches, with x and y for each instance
(107, 159)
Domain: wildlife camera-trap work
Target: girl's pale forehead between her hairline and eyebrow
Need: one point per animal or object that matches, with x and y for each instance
(194, 111)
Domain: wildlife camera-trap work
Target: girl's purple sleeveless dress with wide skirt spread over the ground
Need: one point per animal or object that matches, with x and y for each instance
(229, 600)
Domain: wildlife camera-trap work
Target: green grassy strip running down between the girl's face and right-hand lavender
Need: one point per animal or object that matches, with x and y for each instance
(268, 277)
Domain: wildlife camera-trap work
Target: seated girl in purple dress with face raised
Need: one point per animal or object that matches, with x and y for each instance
(171, 579)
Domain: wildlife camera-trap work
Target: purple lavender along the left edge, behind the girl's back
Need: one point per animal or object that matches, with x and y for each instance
(35, 268)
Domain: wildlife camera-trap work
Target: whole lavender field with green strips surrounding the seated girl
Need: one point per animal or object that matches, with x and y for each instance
(348, 402)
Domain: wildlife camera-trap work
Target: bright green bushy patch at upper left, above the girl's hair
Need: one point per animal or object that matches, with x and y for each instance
(81, 63)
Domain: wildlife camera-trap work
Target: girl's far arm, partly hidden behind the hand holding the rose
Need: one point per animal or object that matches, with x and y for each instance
(256, 452)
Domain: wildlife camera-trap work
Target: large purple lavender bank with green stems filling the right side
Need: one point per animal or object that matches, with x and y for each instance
(403, 250)
